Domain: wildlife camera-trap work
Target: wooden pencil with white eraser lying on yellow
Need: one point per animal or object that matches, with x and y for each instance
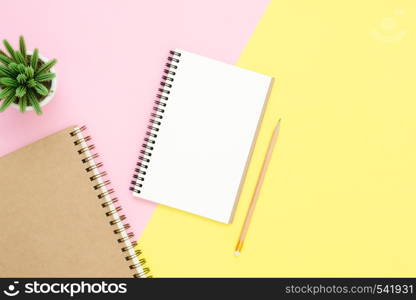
(259, 184)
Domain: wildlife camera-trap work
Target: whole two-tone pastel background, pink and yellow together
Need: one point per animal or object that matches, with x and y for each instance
(339, 197)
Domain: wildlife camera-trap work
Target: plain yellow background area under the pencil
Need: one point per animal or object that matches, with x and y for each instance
(339, 198)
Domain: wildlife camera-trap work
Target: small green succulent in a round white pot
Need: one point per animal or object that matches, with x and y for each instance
(27, 79)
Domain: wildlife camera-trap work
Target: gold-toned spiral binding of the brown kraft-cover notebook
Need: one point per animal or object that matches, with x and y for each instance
(104, 194)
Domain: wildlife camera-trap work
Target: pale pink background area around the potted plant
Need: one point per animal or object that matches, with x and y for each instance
(110, 60)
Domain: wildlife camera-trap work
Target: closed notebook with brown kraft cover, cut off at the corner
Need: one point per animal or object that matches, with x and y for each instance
(58, 218)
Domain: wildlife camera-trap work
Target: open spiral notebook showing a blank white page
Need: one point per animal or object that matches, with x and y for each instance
(200, 135)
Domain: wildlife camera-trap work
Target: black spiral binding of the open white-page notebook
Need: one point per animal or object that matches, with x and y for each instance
(155, 121)
